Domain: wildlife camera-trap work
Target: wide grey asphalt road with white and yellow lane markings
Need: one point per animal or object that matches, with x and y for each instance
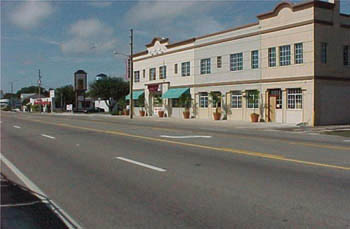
(118, 173)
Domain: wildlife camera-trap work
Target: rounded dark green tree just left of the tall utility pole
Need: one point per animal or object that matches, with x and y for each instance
(111, 89)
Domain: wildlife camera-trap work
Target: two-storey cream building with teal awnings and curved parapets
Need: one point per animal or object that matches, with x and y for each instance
(292, 66)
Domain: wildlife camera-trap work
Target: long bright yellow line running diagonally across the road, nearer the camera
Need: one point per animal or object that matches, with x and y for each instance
(234, 151)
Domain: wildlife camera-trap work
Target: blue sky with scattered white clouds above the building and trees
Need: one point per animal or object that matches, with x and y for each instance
(61, 37)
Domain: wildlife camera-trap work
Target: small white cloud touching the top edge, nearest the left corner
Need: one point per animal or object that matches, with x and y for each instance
(31, 13)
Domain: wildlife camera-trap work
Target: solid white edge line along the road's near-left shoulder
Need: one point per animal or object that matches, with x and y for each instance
(69, 221)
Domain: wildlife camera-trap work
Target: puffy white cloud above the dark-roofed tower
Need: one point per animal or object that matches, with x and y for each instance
(89, 36)
